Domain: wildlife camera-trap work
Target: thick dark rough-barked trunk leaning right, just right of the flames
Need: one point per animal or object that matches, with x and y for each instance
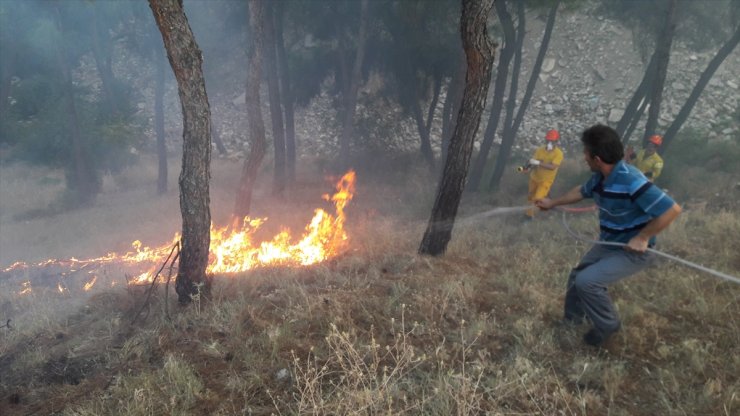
(479, 53)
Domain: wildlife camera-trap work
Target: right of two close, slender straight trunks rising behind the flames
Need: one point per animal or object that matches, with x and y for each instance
(287, 96)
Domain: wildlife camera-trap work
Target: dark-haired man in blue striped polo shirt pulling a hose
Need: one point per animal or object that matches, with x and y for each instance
(632, 211)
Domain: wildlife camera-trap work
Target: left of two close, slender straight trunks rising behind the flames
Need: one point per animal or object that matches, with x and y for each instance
(276, 109)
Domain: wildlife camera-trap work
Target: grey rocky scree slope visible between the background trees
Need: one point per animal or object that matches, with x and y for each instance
(588, 76)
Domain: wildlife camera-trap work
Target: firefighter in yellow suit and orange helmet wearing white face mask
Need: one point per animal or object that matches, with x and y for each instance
(543, 168)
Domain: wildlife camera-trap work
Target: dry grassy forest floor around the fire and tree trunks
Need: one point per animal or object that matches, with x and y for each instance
(377, 329)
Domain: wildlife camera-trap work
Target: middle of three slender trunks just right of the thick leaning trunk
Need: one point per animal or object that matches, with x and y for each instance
(508, 137)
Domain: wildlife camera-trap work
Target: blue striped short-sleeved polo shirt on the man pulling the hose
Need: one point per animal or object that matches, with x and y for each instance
(627, 201)
